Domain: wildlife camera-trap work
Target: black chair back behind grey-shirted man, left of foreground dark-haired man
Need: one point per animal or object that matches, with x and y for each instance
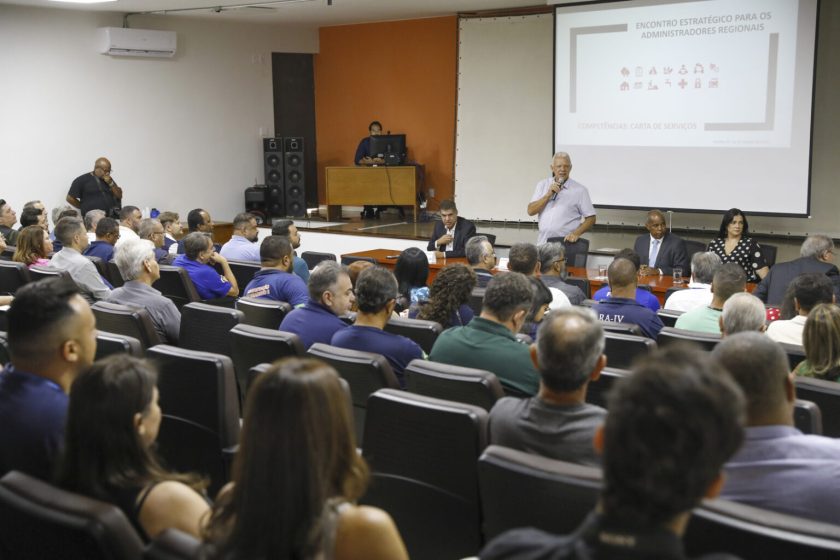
(519, 489)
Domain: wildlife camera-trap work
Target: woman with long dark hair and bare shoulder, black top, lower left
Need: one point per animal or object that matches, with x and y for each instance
(112, 424)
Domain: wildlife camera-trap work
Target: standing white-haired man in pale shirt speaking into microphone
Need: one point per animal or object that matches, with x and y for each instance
(563, 205)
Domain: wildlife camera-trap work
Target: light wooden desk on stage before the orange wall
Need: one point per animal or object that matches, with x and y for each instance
(374, 186)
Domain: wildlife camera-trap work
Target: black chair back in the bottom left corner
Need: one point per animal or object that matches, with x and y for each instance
(43, 521)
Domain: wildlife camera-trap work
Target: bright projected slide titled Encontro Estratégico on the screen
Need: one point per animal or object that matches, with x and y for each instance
(667, 88)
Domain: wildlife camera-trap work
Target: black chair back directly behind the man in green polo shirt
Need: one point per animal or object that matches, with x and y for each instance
(453, 383)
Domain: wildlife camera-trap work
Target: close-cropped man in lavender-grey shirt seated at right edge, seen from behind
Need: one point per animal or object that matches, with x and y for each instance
(778, 467)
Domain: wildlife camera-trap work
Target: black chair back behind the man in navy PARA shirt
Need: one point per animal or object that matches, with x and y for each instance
(252, 345)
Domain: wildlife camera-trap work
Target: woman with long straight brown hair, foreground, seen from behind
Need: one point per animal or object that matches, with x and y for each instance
(303, 505)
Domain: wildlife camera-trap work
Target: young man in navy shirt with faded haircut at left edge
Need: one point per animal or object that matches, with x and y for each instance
(52, 336)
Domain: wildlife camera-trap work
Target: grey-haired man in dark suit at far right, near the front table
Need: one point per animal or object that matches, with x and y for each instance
(815, 255)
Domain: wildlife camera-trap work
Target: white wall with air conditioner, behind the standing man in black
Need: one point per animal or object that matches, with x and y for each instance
(180, 133)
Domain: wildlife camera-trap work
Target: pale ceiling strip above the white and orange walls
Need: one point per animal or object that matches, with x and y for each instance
(304, 12)
